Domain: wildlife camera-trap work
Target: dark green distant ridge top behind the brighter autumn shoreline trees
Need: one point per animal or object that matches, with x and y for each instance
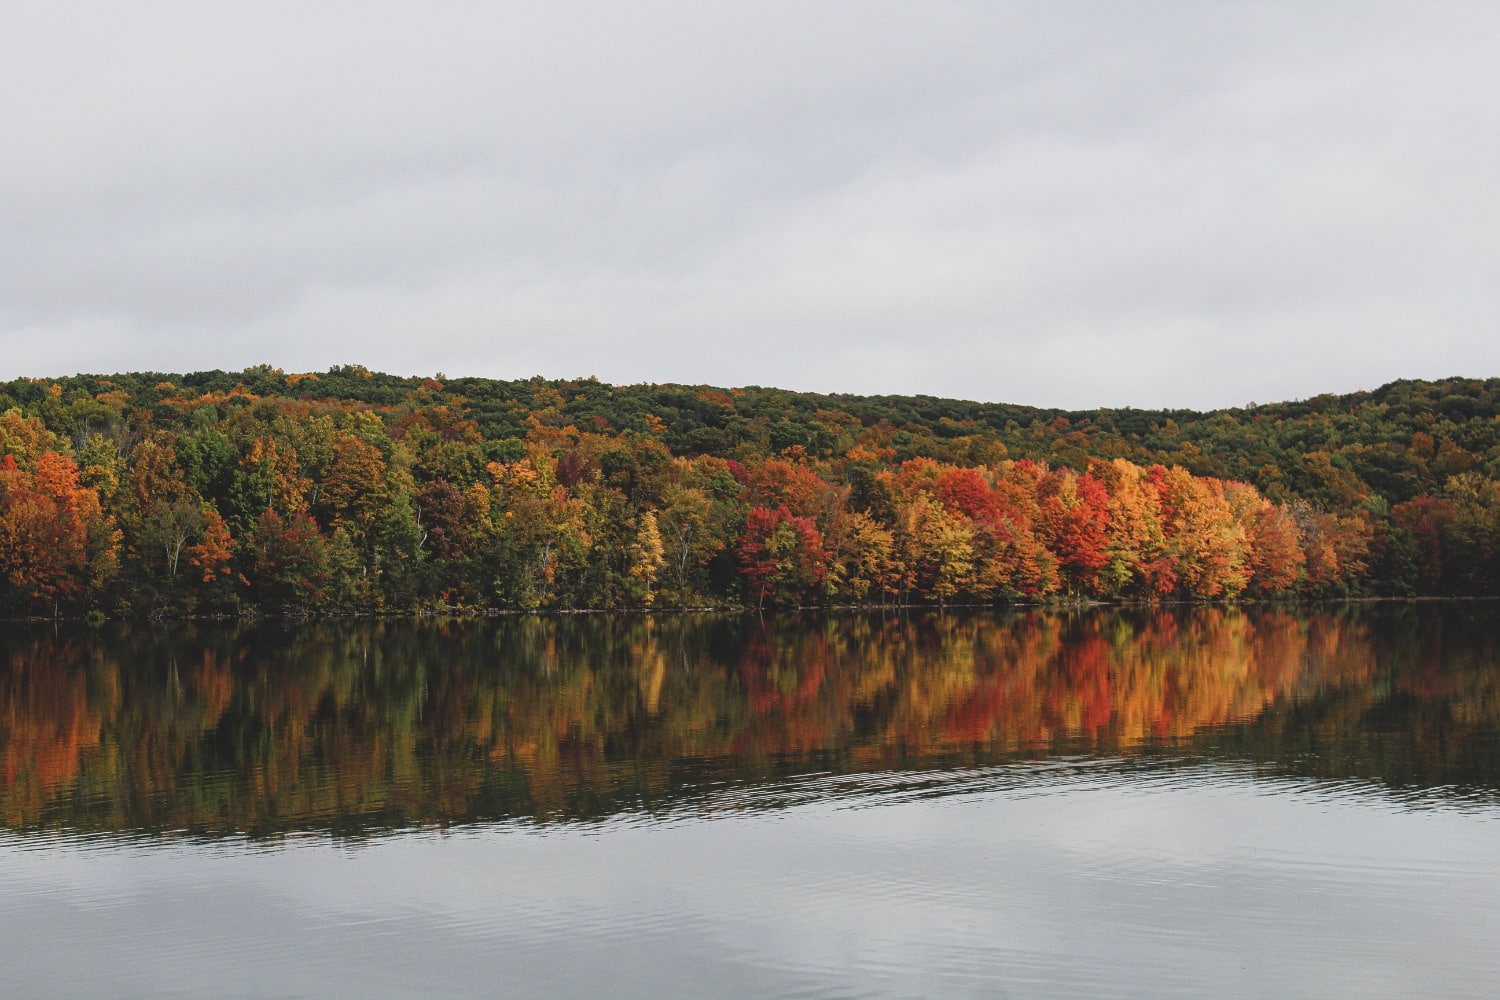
(1274, 446)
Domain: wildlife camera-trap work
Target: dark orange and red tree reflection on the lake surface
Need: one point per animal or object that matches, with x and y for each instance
(365, 726)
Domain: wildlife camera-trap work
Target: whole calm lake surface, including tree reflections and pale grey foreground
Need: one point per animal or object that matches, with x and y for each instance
(1195, 803)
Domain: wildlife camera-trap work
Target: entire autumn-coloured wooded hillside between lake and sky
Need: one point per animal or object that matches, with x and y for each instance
(263, 493)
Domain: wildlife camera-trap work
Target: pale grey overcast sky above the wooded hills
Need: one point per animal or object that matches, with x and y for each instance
(1064, 205)
